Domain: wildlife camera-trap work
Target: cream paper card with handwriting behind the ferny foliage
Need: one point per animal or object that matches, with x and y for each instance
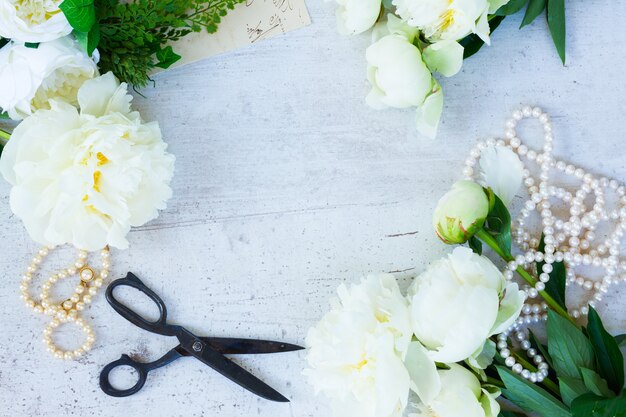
(249, 23)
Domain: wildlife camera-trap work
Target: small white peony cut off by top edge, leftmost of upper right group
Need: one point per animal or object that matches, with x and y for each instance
(357, 16)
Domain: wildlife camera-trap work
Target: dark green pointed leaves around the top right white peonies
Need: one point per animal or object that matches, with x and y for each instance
(555, 15)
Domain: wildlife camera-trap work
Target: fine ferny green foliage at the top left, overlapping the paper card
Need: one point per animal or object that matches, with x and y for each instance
(134, 36)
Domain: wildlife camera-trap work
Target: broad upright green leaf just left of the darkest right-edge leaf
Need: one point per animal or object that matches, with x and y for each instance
(568, 347)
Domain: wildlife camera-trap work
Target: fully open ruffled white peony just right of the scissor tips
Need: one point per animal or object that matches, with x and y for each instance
(356, 350)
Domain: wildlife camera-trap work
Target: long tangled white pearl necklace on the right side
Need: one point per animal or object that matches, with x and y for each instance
(569, 240)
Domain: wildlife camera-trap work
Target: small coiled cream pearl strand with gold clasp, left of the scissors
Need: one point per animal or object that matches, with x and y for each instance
(68, 310)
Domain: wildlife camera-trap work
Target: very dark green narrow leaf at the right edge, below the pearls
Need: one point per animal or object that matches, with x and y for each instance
(610, 358)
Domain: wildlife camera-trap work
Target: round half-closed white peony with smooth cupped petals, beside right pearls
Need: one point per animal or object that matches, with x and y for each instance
(459, 302)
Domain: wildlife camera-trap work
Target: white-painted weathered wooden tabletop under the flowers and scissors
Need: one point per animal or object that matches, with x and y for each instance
(288, 184)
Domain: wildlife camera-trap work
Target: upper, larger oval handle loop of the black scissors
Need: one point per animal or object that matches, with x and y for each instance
(159, 326)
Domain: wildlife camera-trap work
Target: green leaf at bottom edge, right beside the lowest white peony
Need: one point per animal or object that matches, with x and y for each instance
(529, 396)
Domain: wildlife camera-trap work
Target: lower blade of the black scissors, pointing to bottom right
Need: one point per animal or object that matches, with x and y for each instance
(238, 375)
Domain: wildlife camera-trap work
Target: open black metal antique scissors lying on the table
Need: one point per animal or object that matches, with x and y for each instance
(208, 350)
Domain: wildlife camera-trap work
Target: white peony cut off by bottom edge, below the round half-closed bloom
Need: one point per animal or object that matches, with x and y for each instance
(460, 395)
